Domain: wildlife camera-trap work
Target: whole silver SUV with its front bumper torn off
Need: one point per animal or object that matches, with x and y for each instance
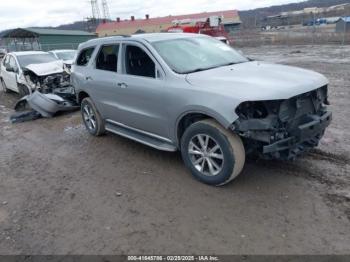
(196, 94)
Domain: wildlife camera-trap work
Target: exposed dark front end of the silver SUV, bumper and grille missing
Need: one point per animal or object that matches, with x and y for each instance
(284, 129)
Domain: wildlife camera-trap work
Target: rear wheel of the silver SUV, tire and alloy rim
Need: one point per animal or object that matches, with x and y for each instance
(92, 119)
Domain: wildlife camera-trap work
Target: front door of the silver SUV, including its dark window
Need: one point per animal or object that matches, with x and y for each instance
(141, 92)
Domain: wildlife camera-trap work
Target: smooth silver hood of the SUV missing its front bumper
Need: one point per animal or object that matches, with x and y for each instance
(255, 81)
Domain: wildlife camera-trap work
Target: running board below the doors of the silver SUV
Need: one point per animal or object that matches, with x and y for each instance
(140, 136)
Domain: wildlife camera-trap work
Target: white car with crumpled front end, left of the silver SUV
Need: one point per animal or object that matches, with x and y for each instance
(16, 64)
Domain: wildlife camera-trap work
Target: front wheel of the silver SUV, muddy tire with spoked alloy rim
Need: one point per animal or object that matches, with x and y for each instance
(214, 155)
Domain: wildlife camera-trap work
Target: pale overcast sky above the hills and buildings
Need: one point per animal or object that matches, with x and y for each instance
(27, 13)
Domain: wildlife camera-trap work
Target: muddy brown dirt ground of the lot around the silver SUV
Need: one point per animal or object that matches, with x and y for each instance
(65, 192)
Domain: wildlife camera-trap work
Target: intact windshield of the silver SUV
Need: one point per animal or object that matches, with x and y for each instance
(188, 55)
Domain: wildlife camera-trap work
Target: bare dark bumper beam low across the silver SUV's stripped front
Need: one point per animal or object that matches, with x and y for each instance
(307, 136)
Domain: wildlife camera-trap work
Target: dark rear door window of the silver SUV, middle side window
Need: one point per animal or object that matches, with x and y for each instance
(107, 58)
